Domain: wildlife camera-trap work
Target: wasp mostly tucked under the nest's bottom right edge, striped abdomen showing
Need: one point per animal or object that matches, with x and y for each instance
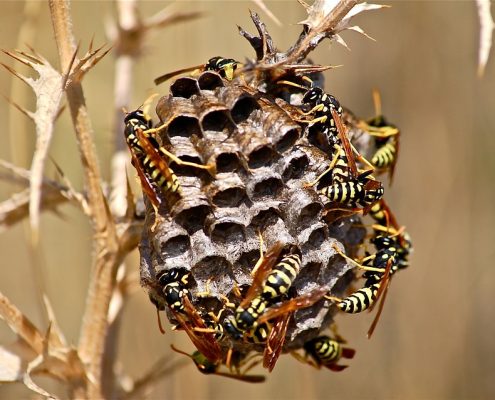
(327, 352)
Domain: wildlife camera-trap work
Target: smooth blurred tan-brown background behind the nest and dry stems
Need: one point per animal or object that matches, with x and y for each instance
(435, 339)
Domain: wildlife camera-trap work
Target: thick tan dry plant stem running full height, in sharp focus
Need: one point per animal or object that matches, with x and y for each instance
(95, 324)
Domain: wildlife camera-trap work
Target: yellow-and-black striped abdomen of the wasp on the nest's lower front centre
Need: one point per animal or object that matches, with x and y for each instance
(281, 277)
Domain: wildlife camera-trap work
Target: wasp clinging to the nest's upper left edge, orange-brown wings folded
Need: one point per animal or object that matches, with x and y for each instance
(149, 158)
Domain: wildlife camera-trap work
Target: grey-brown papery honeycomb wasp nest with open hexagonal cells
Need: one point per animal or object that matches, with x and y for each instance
(263, 160)
